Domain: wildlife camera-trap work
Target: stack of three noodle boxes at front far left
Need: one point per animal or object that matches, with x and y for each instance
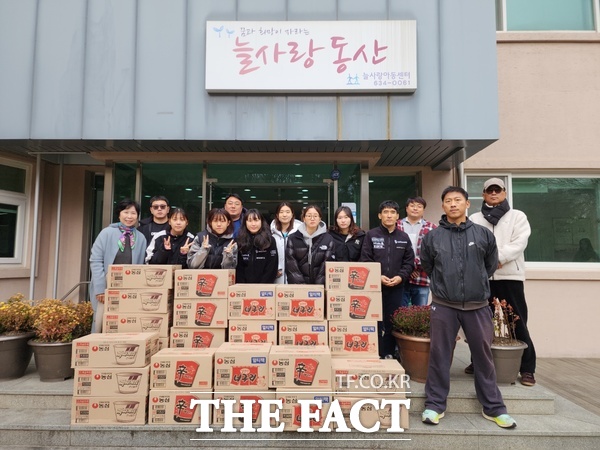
(111, 377)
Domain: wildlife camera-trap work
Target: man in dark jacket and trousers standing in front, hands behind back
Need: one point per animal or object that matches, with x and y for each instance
(459, 256)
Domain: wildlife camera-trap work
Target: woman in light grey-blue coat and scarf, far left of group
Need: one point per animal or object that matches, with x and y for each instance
(118, 243)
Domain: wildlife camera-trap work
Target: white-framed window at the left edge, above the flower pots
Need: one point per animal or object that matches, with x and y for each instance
(13, 202)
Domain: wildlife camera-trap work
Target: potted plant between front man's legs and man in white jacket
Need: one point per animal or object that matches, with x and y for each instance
(507, 350)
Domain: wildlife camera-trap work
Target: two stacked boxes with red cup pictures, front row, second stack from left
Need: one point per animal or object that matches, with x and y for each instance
(178, 376)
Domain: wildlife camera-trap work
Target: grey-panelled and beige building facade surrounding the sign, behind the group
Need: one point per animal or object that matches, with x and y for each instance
(101, 100)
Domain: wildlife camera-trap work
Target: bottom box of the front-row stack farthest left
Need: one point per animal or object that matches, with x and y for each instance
(115, 410)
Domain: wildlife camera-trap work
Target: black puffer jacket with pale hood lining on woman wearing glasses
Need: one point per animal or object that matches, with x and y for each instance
(305, 255)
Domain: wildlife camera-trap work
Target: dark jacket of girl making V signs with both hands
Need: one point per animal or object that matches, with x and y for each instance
(213, 257)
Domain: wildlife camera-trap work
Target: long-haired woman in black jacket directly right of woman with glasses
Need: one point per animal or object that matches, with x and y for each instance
(348, 237)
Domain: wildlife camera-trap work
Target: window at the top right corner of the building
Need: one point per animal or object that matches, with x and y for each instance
(545, 15)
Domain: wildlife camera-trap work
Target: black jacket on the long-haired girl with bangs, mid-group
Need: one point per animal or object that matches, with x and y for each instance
(257, 266)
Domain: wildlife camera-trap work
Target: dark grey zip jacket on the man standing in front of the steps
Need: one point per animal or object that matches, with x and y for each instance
(459, 259)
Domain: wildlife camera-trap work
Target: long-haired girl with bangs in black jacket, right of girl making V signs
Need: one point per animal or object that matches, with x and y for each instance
(257, 250)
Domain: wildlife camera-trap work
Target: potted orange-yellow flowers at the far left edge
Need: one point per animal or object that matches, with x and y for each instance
(15, 331)
